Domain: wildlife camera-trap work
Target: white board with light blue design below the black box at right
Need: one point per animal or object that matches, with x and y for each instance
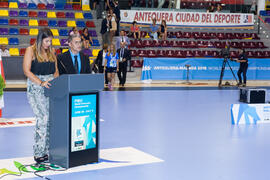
(250, 113)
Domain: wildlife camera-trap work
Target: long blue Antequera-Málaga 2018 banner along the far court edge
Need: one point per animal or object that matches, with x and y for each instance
(200, 69)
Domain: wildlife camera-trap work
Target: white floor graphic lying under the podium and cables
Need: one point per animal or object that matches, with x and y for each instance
(109, 158)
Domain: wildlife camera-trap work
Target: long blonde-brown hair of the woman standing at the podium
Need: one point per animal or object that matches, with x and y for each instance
(37, 48)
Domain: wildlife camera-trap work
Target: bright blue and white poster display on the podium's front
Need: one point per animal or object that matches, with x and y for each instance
(83, 122)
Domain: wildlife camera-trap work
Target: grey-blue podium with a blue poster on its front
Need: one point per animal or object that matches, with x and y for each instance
(74, 119)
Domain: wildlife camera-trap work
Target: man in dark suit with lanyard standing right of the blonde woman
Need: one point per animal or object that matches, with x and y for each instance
(124, 56)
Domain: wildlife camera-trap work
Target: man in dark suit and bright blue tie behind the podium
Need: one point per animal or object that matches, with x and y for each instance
(73, 61)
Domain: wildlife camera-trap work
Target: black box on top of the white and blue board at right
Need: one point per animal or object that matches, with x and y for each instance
(252, 95)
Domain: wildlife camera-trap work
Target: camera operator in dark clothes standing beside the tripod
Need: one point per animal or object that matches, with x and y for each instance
(243, 60)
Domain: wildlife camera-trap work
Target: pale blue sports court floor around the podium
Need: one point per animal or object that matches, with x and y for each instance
(189, 129)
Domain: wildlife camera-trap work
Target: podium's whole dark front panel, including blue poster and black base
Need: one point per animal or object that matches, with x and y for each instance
(84, 123)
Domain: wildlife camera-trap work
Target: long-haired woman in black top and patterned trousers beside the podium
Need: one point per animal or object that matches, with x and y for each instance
(40, 67)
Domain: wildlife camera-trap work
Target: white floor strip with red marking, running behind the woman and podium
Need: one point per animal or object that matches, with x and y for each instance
(17, 121)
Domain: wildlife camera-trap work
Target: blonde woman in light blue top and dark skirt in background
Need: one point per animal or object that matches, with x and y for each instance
(111, 65)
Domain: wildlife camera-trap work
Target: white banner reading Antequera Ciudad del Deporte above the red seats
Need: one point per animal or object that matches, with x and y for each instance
(188, 19)
